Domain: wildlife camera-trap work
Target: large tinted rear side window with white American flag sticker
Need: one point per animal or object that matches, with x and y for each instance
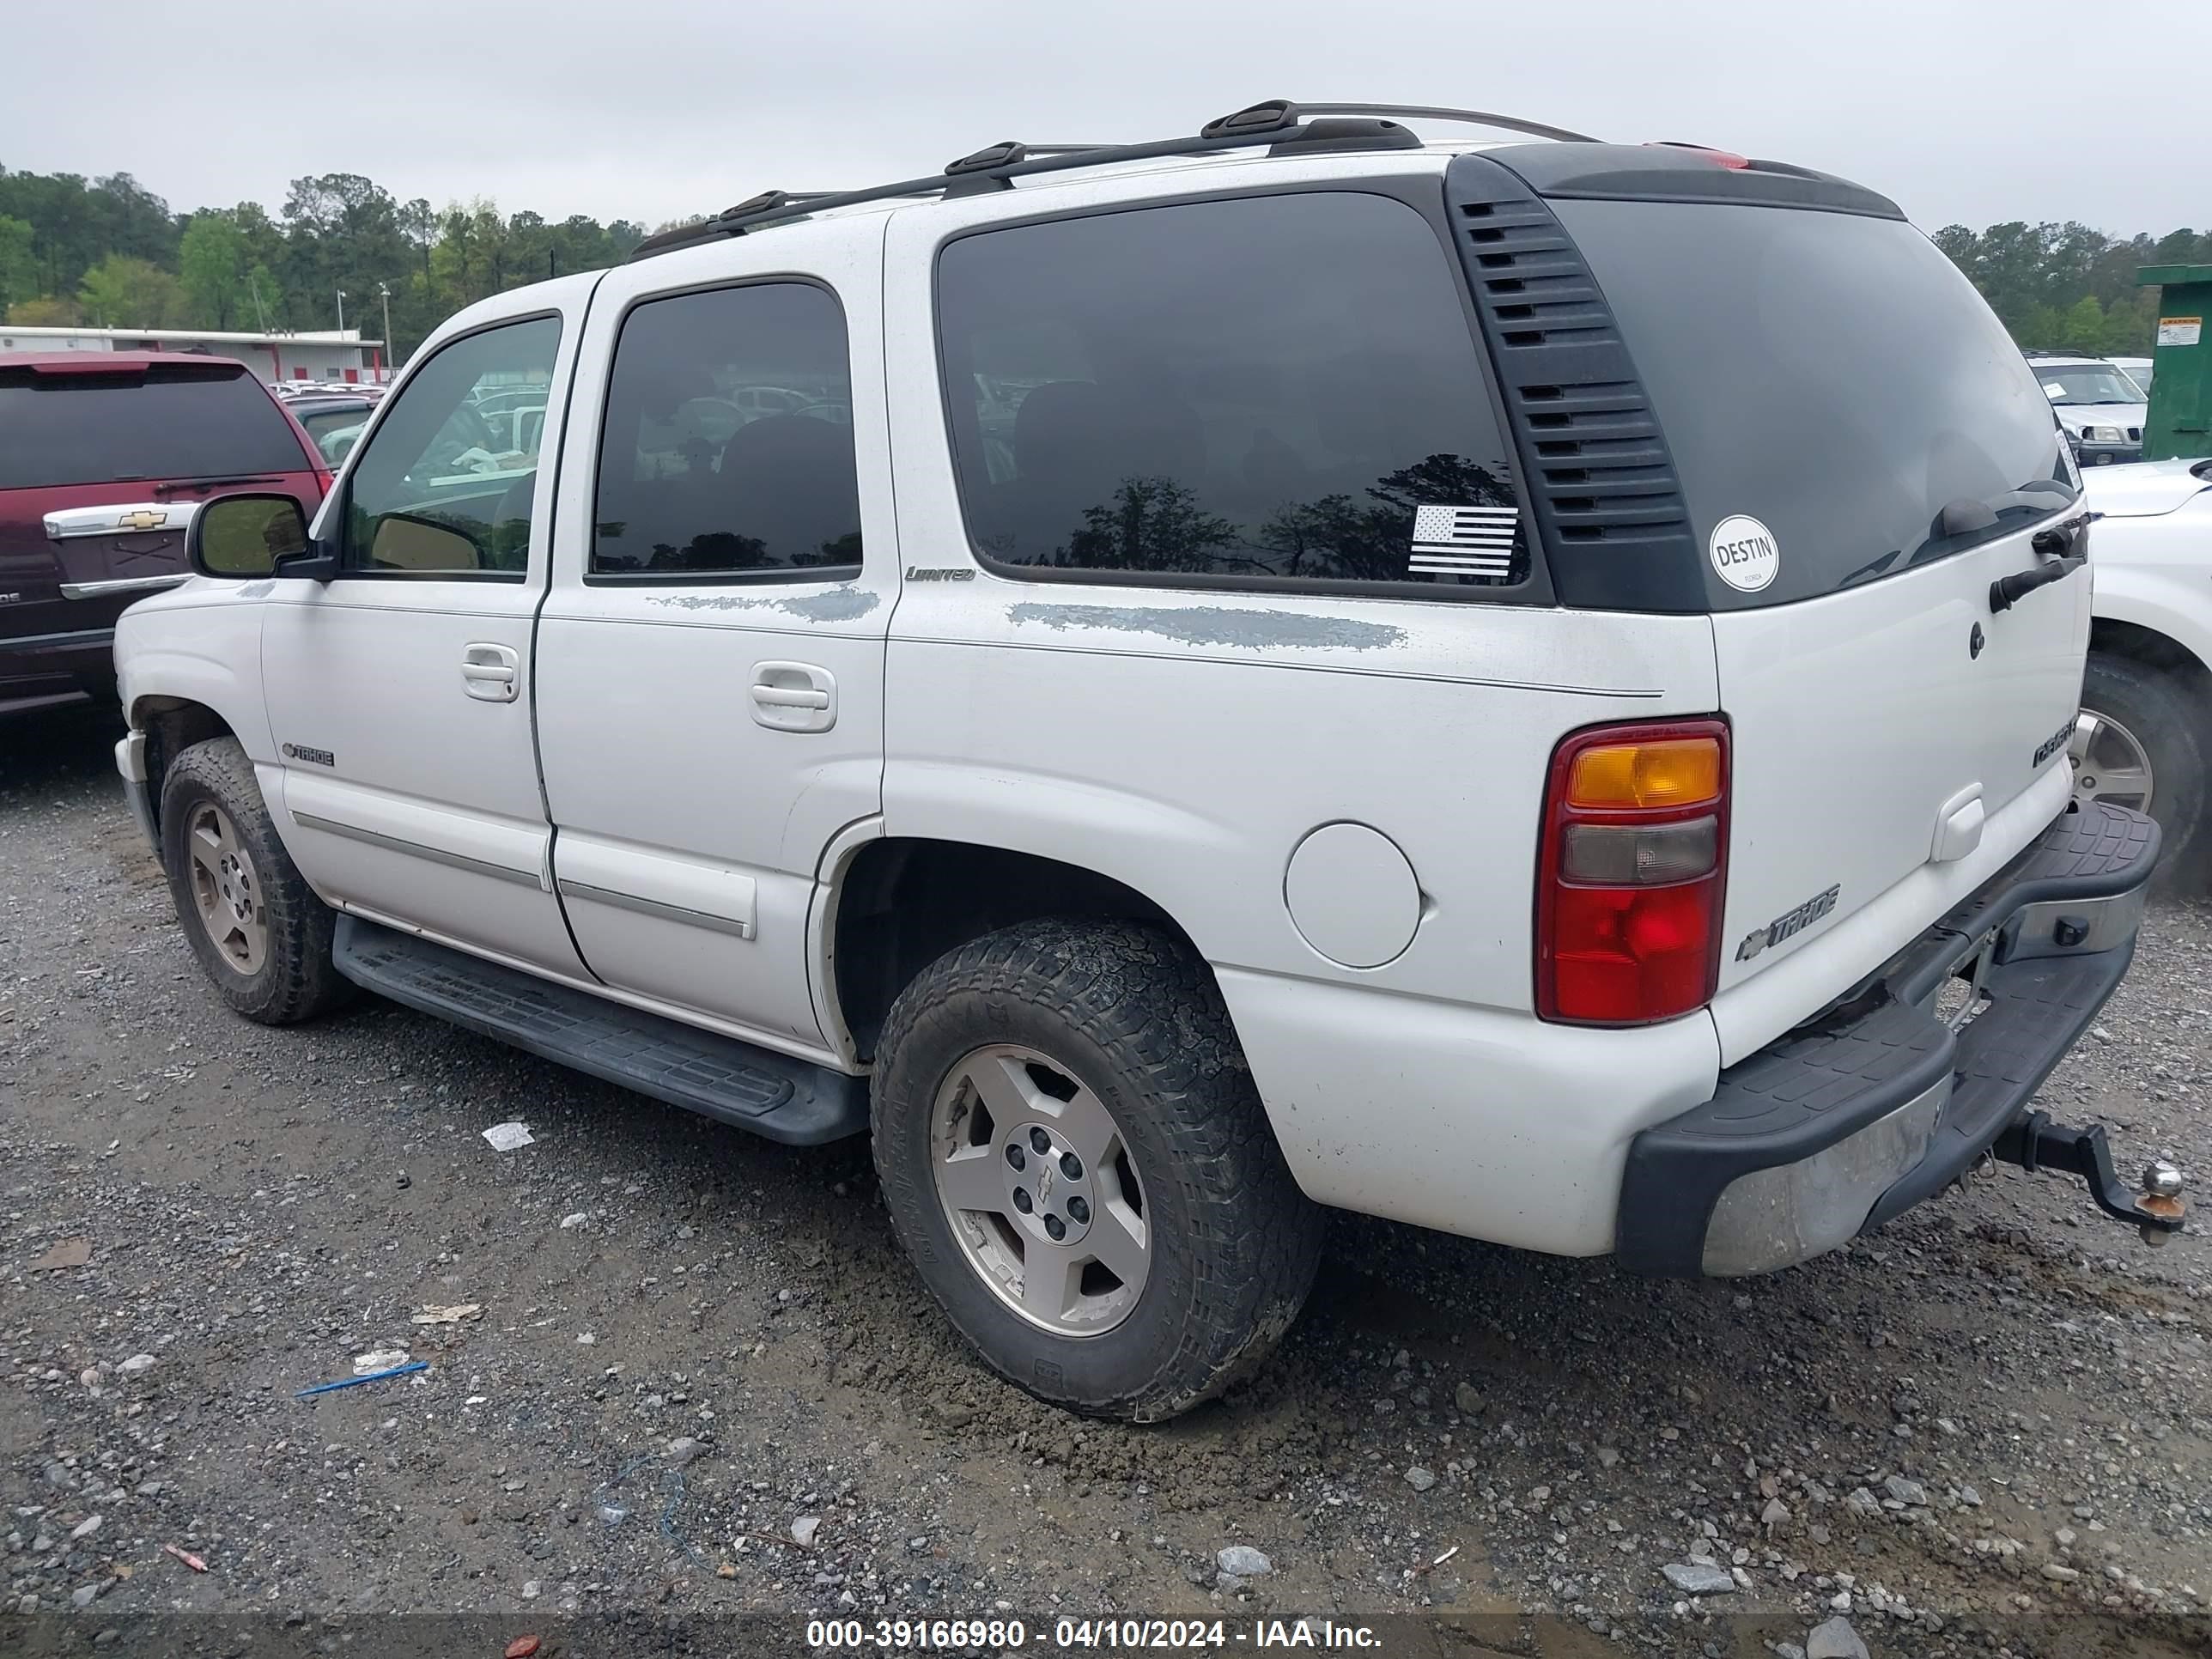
(1229, 390)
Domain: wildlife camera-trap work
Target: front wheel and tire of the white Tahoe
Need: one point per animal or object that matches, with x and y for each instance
(251, 917)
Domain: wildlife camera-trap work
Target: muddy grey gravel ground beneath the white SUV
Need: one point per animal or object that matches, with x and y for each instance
(1985, 1430)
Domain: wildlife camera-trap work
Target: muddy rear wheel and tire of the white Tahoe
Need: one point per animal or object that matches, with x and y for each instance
(1081, 1169)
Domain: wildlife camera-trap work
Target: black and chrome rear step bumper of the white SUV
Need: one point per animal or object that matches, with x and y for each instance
(1881, 1103)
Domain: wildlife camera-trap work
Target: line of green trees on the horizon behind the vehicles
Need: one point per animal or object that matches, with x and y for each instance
(109, 253)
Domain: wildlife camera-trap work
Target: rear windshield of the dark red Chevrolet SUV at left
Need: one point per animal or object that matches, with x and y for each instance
(121, 428)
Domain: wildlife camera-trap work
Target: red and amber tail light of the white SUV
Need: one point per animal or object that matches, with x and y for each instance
(1631, 875)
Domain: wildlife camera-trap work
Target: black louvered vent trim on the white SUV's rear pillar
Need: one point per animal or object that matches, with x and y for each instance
(1600, 477)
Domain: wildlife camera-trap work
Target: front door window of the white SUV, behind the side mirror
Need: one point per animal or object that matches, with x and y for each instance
(448, 481)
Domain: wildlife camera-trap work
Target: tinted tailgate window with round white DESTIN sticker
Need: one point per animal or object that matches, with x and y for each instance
(1828, 375)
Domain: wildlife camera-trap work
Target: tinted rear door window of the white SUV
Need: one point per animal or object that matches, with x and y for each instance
(729, 437)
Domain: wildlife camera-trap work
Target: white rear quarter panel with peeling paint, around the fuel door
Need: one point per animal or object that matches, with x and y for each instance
(1187, 744)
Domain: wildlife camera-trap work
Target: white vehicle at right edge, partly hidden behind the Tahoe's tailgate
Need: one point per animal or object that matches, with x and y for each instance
(2145, 738)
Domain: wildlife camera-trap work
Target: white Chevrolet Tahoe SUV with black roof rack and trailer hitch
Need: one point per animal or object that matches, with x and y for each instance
(1519, 689)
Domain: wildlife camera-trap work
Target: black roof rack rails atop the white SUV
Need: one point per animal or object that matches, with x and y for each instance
(1277, 123)
